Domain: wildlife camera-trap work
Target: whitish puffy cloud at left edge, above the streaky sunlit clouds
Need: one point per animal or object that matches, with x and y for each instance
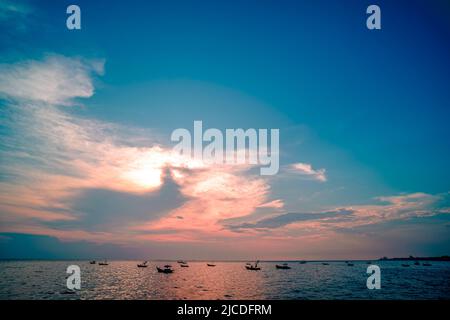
(55, 80)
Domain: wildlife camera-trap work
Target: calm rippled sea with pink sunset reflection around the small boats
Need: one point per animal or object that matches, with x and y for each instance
(228, 280)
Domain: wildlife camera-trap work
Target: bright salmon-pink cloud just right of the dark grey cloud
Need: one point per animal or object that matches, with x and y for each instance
(215, 193)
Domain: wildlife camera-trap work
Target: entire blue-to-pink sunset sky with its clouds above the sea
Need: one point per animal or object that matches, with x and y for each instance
(86, 162)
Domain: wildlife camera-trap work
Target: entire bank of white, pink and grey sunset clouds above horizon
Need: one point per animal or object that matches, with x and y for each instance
(60, 174)
